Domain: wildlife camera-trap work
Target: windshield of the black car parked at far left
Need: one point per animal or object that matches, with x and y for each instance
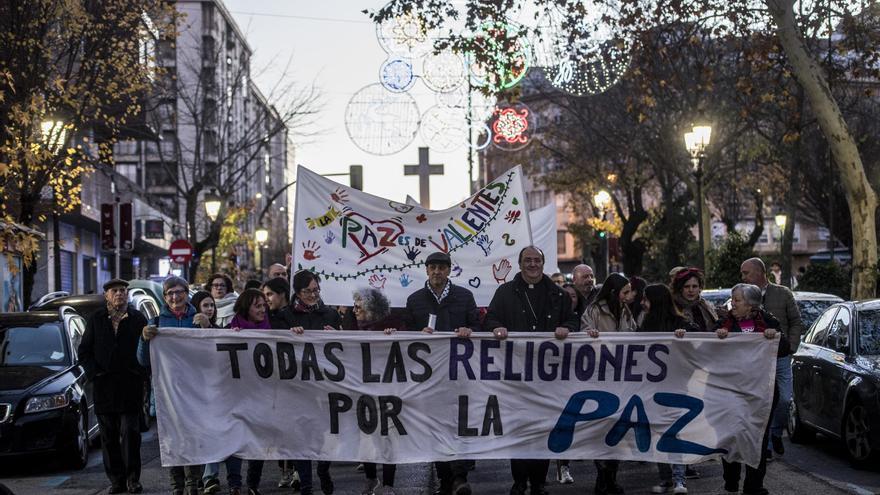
(33, 346)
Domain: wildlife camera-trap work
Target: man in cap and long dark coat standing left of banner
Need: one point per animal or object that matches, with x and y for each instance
(108, 353)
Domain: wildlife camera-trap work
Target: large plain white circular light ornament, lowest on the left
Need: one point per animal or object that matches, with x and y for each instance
(380, 122)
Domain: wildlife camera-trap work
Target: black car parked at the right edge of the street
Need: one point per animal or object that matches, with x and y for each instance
(836, 372)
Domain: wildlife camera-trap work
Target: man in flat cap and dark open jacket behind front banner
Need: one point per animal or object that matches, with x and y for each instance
(441, 306)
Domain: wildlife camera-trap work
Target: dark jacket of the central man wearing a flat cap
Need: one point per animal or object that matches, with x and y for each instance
(458, 309)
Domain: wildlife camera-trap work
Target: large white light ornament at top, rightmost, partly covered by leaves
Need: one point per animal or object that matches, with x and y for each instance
(588, 65)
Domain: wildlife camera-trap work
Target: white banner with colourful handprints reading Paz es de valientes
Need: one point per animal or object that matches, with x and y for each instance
(367, 241)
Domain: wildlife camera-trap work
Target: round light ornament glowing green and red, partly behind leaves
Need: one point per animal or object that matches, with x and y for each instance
(507, 57)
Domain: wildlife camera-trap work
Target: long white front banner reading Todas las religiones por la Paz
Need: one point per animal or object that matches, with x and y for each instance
(413, 397)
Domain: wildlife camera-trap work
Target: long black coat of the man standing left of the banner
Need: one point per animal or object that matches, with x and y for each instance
(110, 362)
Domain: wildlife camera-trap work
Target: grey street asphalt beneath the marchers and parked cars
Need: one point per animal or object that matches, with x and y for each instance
(817, 468)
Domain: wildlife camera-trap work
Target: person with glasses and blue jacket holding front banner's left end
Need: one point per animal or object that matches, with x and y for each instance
(176, 312)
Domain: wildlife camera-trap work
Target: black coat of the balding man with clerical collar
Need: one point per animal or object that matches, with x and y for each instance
(510, 308)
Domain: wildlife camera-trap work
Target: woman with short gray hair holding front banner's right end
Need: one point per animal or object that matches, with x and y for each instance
(747, 315)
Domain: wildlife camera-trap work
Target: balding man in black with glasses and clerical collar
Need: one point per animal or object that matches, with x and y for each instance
(531, 302)
